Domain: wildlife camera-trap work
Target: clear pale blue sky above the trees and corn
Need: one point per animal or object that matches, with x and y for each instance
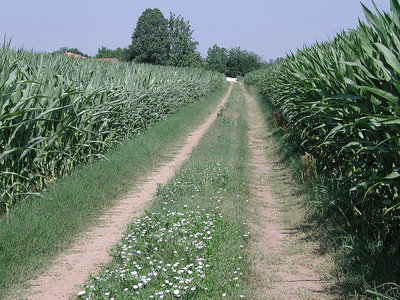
(270, 28)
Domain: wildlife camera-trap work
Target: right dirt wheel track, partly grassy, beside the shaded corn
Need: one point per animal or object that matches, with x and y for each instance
(277, 274)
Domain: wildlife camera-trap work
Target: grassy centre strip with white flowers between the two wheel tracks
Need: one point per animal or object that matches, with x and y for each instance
(191, 243)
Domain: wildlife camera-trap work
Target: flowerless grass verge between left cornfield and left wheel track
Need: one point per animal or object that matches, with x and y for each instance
(37, 229)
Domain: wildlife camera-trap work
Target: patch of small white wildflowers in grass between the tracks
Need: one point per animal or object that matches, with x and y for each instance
(176, 249)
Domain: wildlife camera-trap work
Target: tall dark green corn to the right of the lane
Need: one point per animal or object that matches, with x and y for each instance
(339, 101)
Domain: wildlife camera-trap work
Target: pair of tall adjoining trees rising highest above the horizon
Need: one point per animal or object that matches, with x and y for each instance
(159, 41)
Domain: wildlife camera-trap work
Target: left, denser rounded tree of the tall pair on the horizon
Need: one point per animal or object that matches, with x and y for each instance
(150, 40)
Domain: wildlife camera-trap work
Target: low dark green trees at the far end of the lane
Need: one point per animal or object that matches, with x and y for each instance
(233, 62)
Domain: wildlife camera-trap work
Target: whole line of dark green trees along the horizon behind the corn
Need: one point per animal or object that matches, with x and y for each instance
(161, 41)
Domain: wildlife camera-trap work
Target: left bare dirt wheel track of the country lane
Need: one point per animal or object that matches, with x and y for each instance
(72, 268)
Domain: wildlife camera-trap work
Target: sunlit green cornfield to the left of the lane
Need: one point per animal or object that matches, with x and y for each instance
(57, 112)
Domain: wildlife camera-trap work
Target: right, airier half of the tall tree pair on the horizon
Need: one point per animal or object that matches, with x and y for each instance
(182, 47)
